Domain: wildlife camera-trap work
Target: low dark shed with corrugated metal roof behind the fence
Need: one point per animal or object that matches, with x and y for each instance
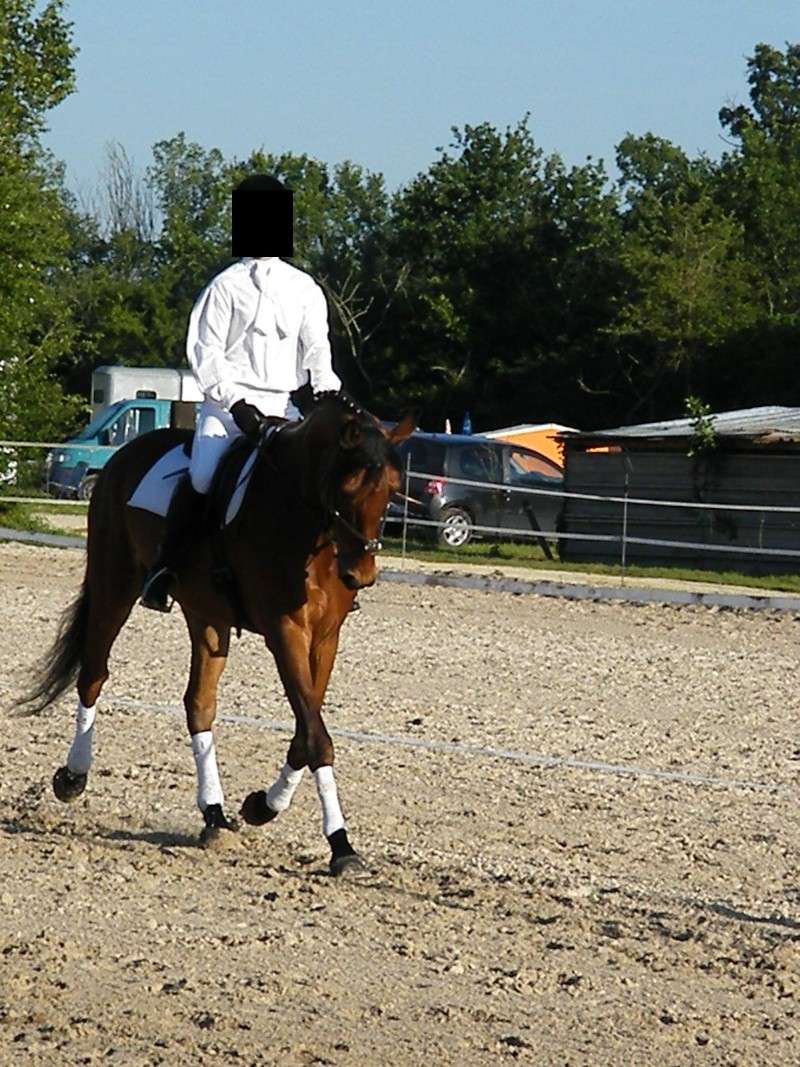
(755, 461)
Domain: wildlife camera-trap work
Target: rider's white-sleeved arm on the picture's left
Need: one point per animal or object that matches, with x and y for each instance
(206, 343)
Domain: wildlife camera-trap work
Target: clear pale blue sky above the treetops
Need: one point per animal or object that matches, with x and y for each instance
(382, 84)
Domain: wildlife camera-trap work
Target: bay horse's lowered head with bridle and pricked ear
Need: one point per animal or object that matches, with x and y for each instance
(360, 472)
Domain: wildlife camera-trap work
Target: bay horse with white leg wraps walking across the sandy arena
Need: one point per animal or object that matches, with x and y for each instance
(301, 546)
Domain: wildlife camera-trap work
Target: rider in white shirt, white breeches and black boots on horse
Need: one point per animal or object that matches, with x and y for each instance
(258, 332)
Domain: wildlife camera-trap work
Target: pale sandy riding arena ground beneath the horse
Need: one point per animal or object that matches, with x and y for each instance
(514, 914)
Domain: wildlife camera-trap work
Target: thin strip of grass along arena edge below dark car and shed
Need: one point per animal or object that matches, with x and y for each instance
(533, 558)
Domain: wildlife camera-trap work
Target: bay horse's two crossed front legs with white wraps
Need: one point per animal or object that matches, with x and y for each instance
(306, 671)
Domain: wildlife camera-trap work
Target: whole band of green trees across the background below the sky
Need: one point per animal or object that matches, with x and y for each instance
(499, 281)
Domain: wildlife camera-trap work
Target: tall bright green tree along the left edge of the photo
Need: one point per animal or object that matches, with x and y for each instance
(36, 74)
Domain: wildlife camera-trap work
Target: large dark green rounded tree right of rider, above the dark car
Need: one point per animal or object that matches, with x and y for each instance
(507, 284)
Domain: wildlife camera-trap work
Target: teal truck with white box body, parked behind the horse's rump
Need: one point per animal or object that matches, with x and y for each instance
(72, 470)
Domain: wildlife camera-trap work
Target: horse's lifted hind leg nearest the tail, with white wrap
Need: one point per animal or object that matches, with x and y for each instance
(109, 608)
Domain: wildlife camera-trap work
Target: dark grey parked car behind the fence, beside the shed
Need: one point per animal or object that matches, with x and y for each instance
(437, 458)
